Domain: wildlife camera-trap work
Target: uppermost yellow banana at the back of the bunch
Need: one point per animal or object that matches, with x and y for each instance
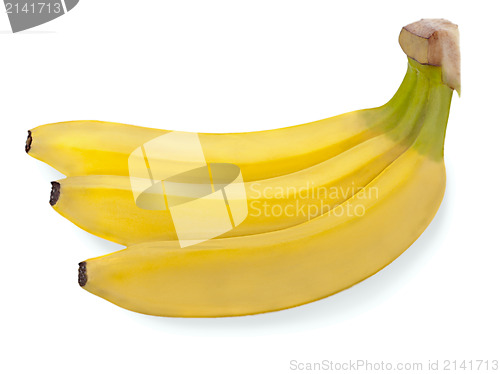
(92, 147)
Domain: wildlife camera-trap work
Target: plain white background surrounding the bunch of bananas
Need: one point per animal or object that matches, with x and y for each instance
(225, 66)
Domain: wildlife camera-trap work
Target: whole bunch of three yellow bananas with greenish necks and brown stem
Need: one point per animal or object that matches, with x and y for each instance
(344, 197)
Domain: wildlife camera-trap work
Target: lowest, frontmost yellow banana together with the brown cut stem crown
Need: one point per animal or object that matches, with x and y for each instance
(309, 261)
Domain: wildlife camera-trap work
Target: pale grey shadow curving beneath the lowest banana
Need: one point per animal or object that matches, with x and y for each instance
(345, 305)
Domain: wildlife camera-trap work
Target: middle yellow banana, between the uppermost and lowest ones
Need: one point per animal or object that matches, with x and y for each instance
(104, 205)
